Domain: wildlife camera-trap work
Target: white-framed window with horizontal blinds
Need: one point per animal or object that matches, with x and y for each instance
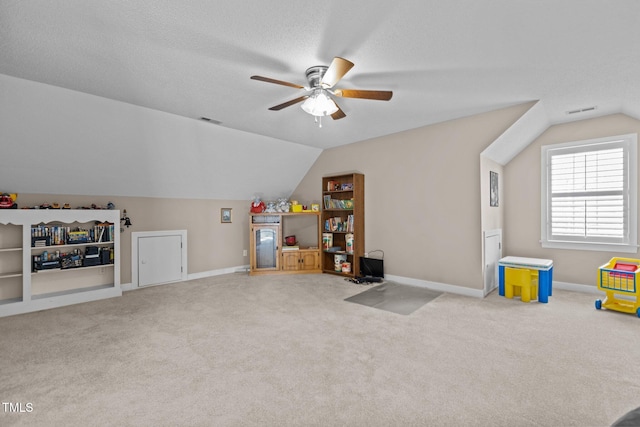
(589, 192)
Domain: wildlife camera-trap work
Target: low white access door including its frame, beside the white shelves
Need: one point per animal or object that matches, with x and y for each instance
(160, 257)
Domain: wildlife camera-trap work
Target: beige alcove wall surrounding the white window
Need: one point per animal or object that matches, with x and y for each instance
(522, 184)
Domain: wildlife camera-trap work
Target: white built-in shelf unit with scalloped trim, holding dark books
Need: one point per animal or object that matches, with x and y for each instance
(52, 258)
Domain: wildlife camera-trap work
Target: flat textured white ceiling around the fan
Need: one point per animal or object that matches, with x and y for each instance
(442, 59)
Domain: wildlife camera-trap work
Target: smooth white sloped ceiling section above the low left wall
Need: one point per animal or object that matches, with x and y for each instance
(59, 141)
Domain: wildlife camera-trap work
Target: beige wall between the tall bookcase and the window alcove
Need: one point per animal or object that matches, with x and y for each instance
(422, 195)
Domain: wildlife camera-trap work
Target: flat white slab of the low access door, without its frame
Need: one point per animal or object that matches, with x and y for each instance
(159, 259)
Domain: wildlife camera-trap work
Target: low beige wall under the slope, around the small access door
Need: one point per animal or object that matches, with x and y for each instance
(211, 244)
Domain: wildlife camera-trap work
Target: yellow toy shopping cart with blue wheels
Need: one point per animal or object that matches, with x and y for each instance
(619, 280)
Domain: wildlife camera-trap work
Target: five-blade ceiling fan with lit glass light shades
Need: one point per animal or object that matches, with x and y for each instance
(322, 80)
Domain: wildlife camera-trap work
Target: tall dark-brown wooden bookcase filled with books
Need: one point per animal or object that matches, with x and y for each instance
(342, 223)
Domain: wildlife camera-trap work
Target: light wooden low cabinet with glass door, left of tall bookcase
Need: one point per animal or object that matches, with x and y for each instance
(266, 244)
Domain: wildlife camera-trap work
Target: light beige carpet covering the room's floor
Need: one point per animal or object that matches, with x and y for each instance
(236, 350)
